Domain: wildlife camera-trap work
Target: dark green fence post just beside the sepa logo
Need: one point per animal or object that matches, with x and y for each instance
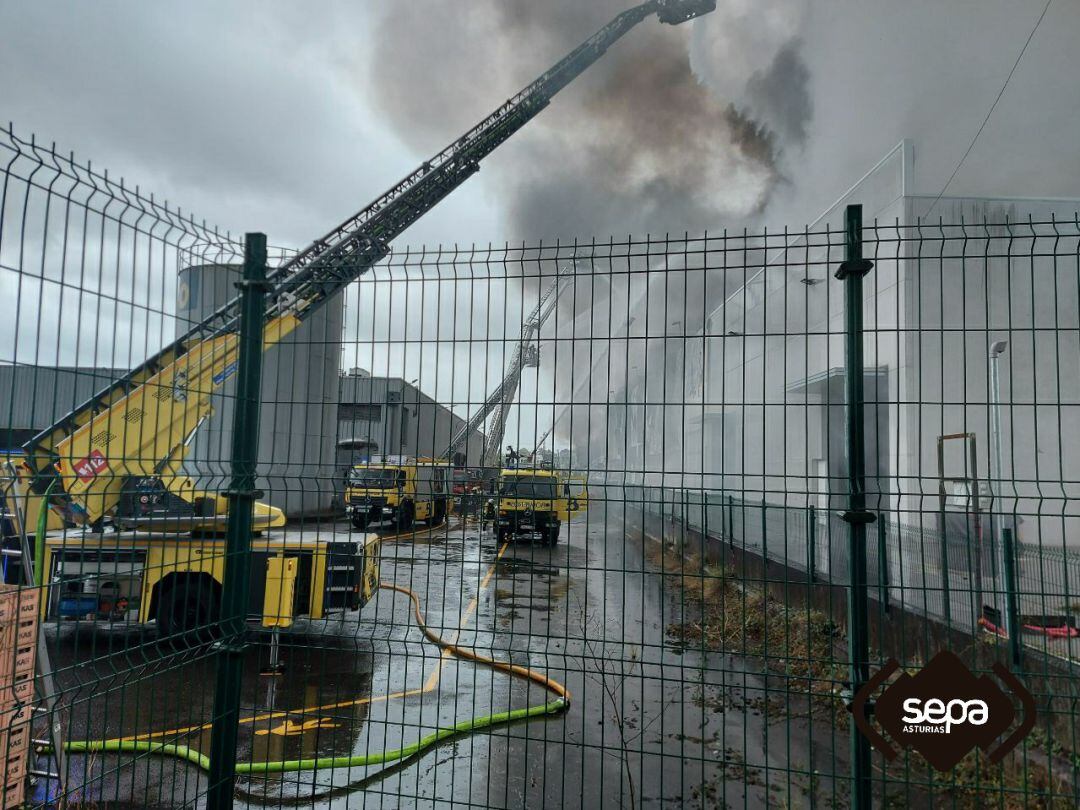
(852, 273)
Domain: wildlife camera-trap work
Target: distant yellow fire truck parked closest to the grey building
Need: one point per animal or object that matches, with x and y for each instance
(398, 490)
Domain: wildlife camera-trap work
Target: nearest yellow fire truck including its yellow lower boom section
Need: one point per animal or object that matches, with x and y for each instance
(142, 543)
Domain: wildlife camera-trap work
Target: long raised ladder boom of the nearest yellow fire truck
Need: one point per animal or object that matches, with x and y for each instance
(139, 428)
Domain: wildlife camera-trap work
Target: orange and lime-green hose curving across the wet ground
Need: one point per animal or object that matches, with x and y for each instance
(475, 724)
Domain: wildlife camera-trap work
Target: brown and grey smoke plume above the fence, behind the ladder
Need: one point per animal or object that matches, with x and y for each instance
(641, 143)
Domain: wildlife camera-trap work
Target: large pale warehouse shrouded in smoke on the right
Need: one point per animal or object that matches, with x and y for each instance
(749, 402)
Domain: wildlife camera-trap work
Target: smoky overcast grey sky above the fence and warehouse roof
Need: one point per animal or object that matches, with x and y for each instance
(287, 117)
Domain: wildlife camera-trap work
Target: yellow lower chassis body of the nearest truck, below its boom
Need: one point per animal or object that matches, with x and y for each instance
(131, 578)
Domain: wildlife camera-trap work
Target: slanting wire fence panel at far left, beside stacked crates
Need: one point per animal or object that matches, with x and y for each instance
(89, 267)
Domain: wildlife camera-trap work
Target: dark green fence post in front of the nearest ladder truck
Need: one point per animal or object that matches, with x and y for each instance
(238, 541)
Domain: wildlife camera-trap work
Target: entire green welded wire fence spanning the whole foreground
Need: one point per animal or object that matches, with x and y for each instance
(538, 525)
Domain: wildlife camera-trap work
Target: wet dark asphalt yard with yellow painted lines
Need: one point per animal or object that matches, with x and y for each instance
(651, 723)
